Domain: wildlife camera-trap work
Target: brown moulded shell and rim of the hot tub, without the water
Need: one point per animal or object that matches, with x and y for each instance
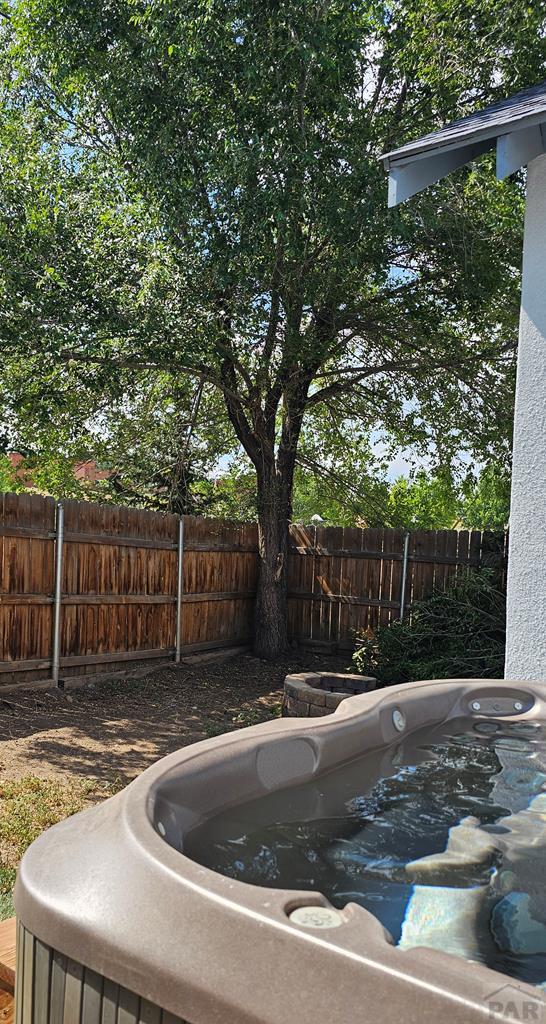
(110, 889)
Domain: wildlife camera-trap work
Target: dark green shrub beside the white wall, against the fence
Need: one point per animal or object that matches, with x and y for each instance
(456, 633)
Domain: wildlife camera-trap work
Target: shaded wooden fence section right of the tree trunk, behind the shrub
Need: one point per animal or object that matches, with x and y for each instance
(347, 579)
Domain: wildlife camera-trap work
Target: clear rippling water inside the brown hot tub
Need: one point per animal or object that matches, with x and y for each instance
(442, 837)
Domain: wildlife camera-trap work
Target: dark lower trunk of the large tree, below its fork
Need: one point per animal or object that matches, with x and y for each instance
(271, 634)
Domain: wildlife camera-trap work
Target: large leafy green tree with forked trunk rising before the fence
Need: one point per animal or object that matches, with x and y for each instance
(261, 259)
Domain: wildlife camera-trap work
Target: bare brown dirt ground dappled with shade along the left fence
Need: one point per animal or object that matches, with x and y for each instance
(117, 729)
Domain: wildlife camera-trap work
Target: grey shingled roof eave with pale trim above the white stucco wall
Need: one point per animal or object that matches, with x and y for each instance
(517, 126)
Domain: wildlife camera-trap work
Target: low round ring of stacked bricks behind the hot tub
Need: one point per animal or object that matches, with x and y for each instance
(312, 695)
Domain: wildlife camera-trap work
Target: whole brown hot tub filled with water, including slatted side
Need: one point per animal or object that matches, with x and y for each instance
(120, 919)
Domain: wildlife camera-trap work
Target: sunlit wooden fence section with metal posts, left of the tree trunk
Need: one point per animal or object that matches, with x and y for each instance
(117, 582)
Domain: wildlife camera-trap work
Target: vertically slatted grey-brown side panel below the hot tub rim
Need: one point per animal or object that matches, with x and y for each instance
(53, 989)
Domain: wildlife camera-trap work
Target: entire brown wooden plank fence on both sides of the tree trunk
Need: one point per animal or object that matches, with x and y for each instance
(94, 587)
